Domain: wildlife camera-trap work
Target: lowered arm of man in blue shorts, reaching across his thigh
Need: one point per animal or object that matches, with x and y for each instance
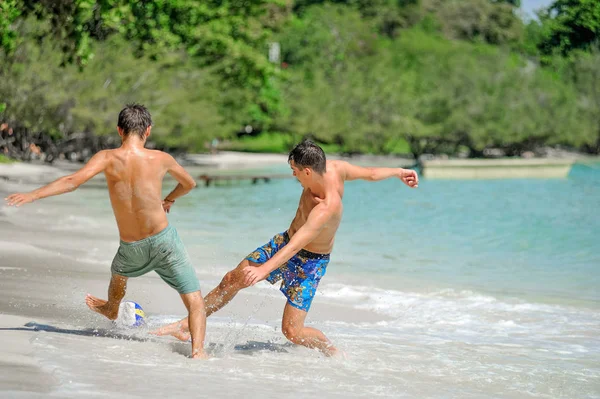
(317, 219)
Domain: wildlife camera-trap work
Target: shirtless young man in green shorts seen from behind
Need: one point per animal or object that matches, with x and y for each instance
(134, 177)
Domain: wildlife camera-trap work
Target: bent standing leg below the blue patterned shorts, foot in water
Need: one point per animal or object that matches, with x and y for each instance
(293, 328)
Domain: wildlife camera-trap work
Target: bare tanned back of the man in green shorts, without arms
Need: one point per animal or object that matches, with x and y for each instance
(134, 177)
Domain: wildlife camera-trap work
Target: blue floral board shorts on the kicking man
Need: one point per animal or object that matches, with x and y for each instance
(300, 275)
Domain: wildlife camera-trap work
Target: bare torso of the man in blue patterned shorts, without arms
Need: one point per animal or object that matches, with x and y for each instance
(334, 183)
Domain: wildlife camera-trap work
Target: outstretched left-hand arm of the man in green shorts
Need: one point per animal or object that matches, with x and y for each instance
(64, 184)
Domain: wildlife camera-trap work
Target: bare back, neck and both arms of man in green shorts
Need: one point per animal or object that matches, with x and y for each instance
(134, 178)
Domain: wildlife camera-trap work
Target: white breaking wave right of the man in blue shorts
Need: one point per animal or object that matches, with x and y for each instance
(463, 311)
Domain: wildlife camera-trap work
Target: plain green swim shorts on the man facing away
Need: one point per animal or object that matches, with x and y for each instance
(165, 254)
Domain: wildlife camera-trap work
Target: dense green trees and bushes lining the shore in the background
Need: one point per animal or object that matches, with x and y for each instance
(372, 76)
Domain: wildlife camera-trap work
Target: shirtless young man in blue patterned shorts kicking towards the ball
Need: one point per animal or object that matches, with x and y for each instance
(299, 256)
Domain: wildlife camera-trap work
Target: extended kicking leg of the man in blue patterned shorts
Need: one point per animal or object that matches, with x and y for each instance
(231, 284)
